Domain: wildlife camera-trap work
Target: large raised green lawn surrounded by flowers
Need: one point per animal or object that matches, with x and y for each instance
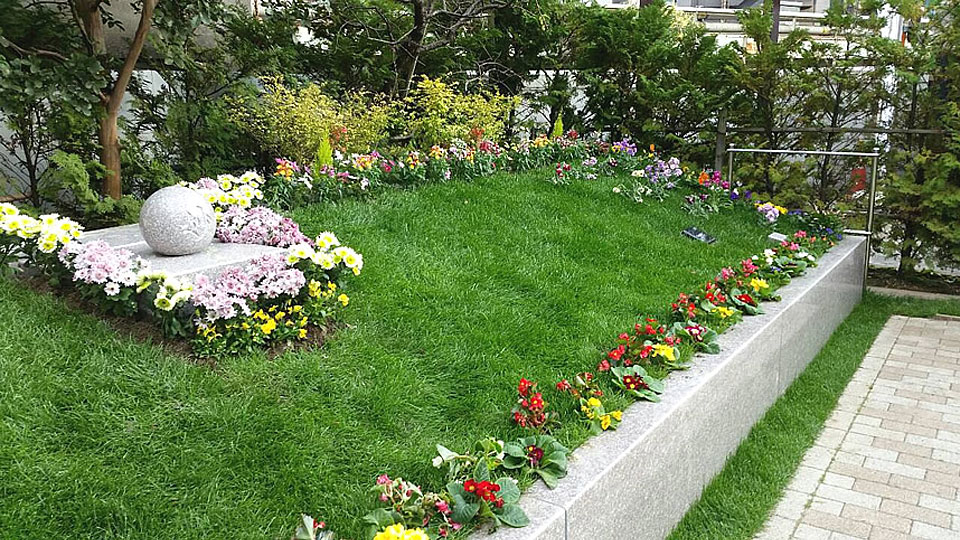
(467, 287)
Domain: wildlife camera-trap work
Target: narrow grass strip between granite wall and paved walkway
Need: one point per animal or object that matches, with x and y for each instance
(738, 501)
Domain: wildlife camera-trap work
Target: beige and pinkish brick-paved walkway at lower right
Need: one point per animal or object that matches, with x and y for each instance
(887, 464)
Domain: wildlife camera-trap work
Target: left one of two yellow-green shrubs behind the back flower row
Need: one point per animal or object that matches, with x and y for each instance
(296, 122)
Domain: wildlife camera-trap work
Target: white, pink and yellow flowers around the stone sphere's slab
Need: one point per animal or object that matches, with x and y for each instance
(276, 299)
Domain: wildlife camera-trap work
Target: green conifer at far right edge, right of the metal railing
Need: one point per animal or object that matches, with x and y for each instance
(921, 195)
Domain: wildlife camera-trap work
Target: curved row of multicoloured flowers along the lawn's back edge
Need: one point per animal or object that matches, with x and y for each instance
(349, 175)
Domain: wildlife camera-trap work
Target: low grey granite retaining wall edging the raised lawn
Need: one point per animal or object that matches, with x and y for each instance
(638, 482)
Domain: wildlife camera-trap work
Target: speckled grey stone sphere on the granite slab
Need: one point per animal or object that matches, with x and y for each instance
(177, 221)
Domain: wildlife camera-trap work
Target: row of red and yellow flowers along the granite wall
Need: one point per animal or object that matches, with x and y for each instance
(482, 483)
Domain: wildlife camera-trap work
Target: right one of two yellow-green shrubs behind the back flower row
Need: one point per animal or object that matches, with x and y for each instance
(436, 114)
